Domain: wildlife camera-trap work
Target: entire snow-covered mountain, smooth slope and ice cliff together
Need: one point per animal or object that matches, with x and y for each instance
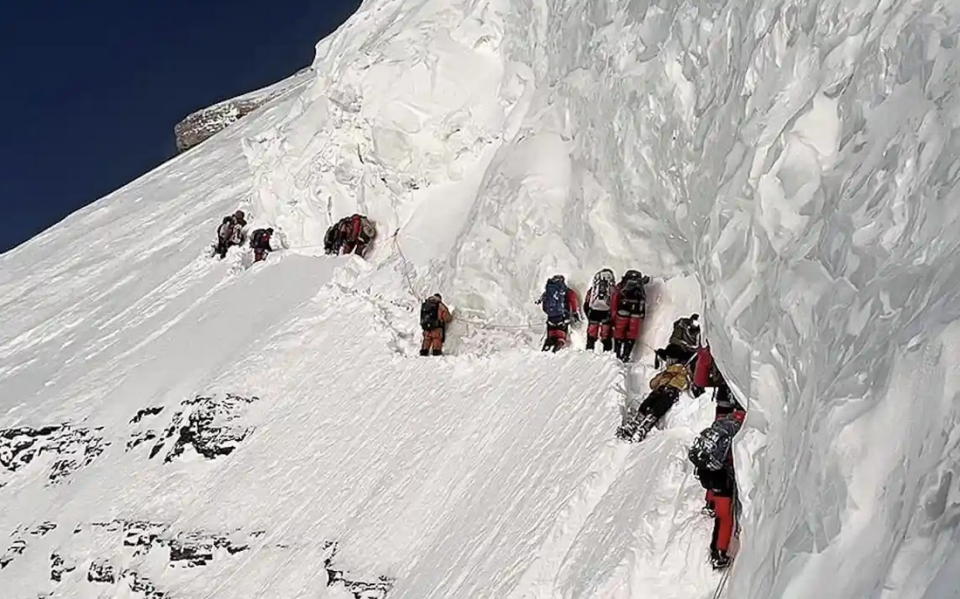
(179, 427)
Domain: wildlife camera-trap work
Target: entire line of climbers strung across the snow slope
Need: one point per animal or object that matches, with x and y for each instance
(614, 313)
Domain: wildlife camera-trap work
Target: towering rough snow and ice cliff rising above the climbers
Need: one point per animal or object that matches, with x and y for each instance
(798, 157)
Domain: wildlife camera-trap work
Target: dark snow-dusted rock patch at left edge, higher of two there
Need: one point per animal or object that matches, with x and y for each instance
(74, 448)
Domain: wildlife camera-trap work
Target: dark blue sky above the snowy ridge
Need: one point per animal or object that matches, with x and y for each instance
(90, 90)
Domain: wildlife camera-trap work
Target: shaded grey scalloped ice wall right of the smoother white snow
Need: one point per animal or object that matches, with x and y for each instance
(802, 159)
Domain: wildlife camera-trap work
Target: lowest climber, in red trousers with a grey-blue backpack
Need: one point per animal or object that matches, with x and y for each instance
(711, 456)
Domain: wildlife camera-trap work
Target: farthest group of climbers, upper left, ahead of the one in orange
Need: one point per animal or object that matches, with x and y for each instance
(351, 234)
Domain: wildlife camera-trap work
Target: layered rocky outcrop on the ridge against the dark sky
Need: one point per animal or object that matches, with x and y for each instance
(205, 123)
